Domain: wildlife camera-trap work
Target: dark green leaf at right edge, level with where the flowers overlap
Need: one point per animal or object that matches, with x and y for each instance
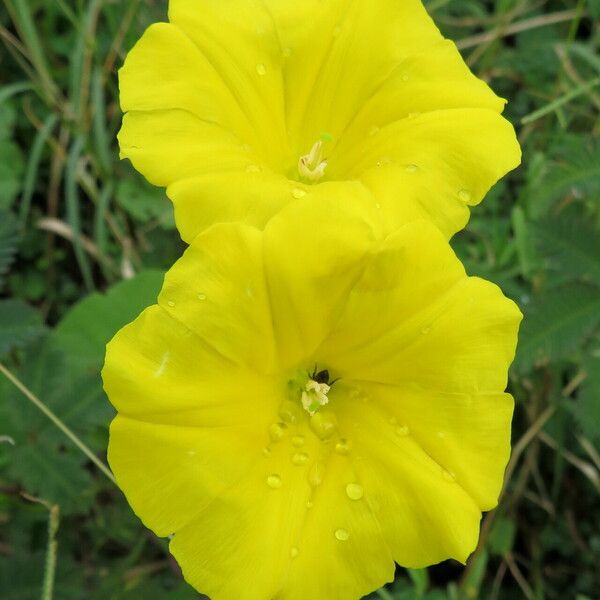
(570, 247)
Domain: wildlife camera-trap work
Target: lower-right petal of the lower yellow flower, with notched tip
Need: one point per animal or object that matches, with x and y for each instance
(424, 514)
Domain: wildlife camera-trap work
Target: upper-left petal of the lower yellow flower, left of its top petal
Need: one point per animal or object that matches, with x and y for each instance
(218, 291)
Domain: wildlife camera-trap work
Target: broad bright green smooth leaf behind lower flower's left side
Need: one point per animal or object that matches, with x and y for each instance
(86, 329)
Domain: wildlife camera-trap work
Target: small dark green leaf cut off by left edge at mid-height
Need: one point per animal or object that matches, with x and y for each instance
(20, 324)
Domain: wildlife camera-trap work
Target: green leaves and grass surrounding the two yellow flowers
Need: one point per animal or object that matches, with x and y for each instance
(84, 242)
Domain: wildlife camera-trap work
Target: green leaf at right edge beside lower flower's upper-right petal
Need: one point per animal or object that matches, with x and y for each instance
(556, 323)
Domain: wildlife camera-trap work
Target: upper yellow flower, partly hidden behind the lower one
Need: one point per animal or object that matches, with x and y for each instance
(240, 107)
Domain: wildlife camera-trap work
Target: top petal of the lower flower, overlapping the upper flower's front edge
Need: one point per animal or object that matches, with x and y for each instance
(315, 252)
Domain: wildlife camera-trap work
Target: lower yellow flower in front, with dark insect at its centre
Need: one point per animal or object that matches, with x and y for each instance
(309, 403)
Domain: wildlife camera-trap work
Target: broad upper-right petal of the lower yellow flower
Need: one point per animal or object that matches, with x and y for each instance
(436, 327)
